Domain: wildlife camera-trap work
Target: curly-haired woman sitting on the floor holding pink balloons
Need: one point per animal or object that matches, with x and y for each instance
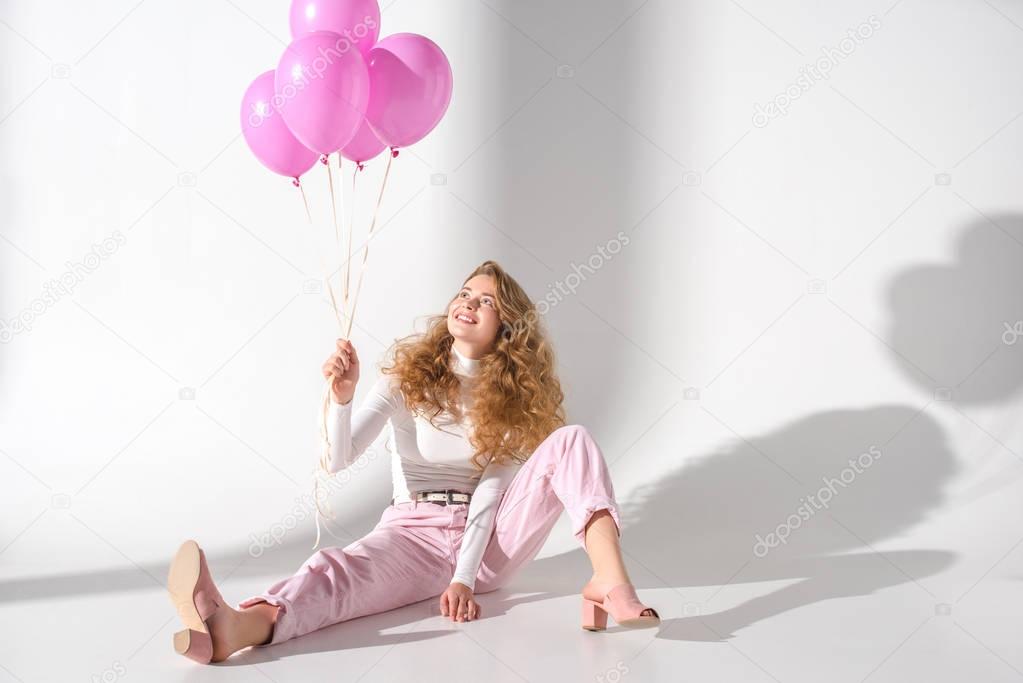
(483, 466)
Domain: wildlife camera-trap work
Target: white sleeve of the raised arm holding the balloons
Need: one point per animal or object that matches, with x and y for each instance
(351, 435)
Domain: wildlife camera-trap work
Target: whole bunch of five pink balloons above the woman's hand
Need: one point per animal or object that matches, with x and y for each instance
(338, 89)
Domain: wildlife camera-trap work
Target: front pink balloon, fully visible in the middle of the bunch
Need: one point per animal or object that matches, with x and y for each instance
(323, 87)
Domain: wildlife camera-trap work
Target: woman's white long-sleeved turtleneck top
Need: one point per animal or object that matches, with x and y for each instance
(425, 459)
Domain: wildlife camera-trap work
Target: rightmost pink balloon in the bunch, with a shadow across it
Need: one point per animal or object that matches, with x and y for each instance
(411, 79)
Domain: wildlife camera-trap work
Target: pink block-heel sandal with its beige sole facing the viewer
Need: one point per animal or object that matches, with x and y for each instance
(196, 598)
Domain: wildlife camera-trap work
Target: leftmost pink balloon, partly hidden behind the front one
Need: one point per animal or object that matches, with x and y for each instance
(266, 133)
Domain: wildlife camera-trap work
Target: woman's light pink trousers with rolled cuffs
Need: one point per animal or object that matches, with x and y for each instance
(412, 554)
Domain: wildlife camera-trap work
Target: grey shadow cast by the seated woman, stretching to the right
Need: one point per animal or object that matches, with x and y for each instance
(724, 509)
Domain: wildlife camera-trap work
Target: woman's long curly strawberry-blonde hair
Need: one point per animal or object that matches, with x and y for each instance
(516, 395)
